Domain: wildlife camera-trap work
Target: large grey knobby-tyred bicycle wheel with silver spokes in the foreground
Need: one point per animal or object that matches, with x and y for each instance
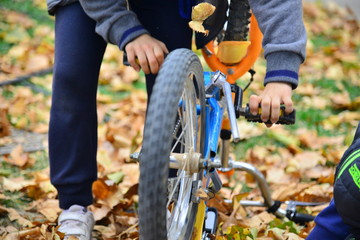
(174, 123)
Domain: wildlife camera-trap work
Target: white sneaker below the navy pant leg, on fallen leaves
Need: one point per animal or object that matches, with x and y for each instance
(77, 221)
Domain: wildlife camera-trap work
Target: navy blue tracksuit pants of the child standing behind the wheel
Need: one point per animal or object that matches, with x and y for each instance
(73, 118)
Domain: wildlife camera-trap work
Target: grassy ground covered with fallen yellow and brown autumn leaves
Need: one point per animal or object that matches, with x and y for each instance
(298, 161)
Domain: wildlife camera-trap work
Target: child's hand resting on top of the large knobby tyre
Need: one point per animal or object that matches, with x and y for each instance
(146, 53)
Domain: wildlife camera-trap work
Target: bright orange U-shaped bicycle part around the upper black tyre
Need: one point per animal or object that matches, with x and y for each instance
(235, 71)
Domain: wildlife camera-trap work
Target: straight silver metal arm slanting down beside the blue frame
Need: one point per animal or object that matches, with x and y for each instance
(219, 79)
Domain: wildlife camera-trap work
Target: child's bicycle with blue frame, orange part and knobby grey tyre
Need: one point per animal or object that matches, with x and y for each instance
(183, 129)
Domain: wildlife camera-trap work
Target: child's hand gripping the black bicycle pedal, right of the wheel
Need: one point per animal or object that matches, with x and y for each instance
(274, 94)
